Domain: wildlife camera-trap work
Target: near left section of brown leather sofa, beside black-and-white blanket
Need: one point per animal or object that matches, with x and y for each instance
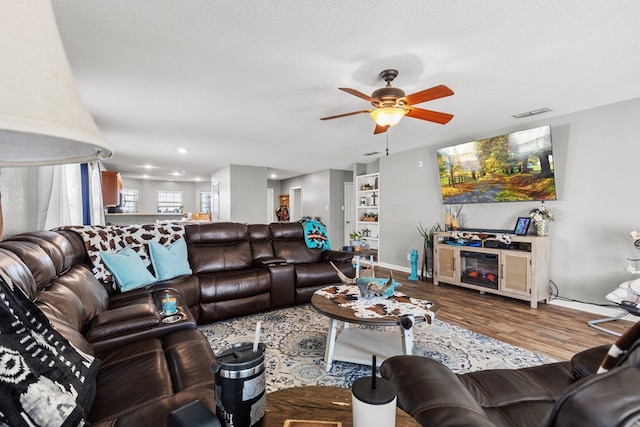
(139, 381)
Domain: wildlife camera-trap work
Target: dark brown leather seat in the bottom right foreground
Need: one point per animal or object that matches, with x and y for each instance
(562, 394)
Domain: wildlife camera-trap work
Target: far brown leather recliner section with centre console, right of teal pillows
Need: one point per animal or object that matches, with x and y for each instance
(244, 269)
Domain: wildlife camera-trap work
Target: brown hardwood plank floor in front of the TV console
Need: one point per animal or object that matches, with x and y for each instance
(557, 332)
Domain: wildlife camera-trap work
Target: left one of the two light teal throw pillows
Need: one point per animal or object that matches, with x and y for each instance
(128, 269)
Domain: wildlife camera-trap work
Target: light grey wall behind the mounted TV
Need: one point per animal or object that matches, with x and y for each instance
(596, 158)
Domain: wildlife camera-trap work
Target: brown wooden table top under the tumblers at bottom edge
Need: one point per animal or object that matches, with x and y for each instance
(317, 403)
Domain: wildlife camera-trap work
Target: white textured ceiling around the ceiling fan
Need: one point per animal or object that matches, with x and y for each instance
(245, 82)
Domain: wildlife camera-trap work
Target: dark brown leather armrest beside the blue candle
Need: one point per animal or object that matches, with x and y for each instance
(123, 320)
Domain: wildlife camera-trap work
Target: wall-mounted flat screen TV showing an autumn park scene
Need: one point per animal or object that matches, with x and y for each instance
(513, 167)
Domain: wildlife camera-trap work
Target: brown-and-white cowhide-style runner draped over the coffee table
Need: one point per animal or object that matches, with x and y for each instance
(398, 304)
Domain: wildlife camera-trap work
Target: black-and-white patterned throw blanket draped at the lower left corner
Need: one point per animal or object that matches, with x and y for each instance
(44, 380)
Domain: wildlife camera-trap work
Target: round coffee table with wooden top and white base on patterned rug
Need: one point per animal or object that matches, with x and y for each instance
(357, 345)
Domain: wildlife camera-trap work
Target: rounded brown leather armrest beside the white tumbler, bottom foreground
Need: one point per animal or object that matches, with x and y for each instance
(432, 394)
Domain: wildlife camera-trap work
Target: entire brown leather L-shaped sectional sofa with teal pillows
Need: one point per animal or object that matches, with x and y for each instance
(149, 368)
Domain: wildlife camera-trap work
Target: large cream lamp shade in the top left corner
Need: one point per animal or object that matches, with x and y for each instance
(43, 120)
